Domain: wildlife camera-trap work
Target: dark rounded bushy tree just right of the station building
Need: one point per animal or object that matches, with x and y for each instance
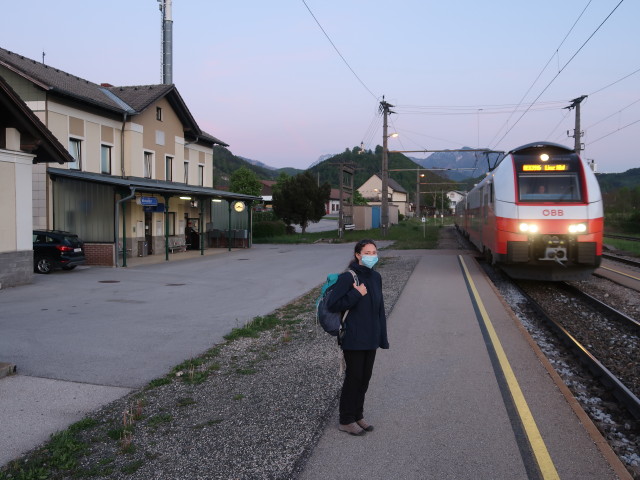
(299, 200)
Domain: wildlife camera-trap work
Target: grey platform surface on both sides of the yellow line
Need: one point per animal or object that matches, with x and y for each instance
(436, 405)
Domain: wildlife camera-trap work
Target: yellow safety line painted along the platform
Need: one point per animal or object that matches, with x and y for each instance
(547, 468)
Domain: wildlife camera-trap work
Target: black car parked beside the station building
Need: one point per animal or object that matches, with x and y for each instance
(56, 249)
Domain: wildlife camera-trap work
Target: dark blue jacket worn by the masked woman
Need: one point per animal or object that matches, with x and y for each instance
(366, 324)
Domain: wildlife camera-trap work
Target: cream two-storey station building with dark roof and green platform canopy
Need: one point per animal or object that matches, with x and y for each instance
(141, 179)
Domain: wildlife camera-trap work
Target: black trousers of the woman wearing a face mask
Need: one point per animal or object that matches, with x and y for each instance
(356, 382)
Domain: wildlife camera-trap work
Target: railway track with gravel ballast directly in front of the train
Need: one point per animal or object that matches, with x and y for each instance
(602, 349)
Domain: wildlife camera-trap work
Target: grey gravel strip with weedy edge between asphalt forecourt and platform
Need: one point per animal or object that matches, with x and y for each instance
(248, 408)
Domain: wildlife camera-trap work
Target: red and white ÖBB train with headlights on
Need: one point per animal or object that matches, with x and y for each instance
(537, 215)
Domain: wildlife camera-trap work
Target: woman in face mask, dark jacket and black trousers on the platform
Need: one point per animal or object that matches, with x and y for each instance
(365, 331)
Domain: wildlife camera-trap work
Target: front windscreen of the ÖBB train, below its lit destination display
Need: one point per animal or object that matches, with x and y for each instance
(563, 187)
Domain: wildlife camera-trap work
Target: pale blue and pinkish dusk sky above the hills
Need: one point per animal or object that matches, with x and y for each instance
(263, 77)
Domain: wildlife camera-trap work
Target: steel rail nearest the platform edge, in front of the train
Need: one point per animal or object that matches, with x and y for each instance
(602, 373)
